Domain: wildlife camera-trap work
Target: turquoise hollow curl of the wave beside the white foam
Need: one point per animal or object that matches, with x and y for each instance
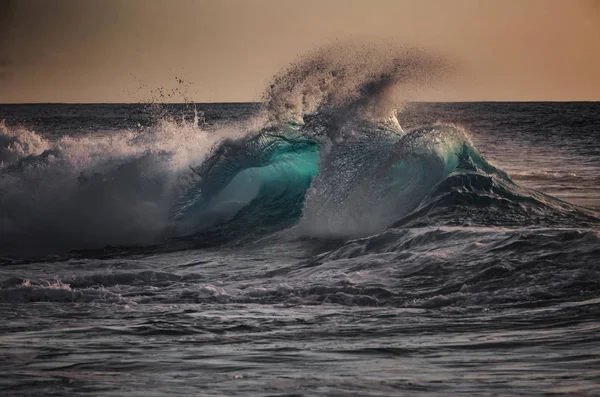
(250, 186)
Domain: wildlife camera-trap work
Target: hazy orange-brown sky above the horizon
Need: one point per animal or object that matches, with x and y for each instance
(85, 51)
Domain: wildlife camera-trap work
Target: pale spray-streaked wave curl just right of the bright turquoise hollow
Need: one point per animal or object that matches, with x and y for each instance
(362, 188)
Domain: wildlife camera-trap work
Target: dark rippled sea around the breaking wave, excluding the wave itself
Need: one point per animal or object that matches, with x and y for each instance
(453, 300)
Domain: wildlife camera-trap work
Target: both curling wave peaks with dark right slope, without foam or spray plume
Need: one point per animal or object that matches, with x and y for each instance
(360, 185)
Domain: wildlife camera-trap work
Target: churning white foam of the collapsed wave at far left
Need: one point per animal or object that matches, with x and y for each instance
(97, 189)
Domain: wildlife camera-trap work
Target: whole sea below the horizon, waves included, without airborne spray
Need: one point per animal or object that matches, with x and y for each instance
(160, 250)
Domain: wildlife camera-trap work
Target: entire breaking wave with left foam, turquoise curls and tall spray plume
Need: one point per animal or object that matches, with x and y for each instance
(328, 160)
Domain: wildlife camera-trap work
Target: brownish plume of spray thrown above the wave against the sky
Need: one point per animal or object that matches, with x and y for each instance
(358, 82)
